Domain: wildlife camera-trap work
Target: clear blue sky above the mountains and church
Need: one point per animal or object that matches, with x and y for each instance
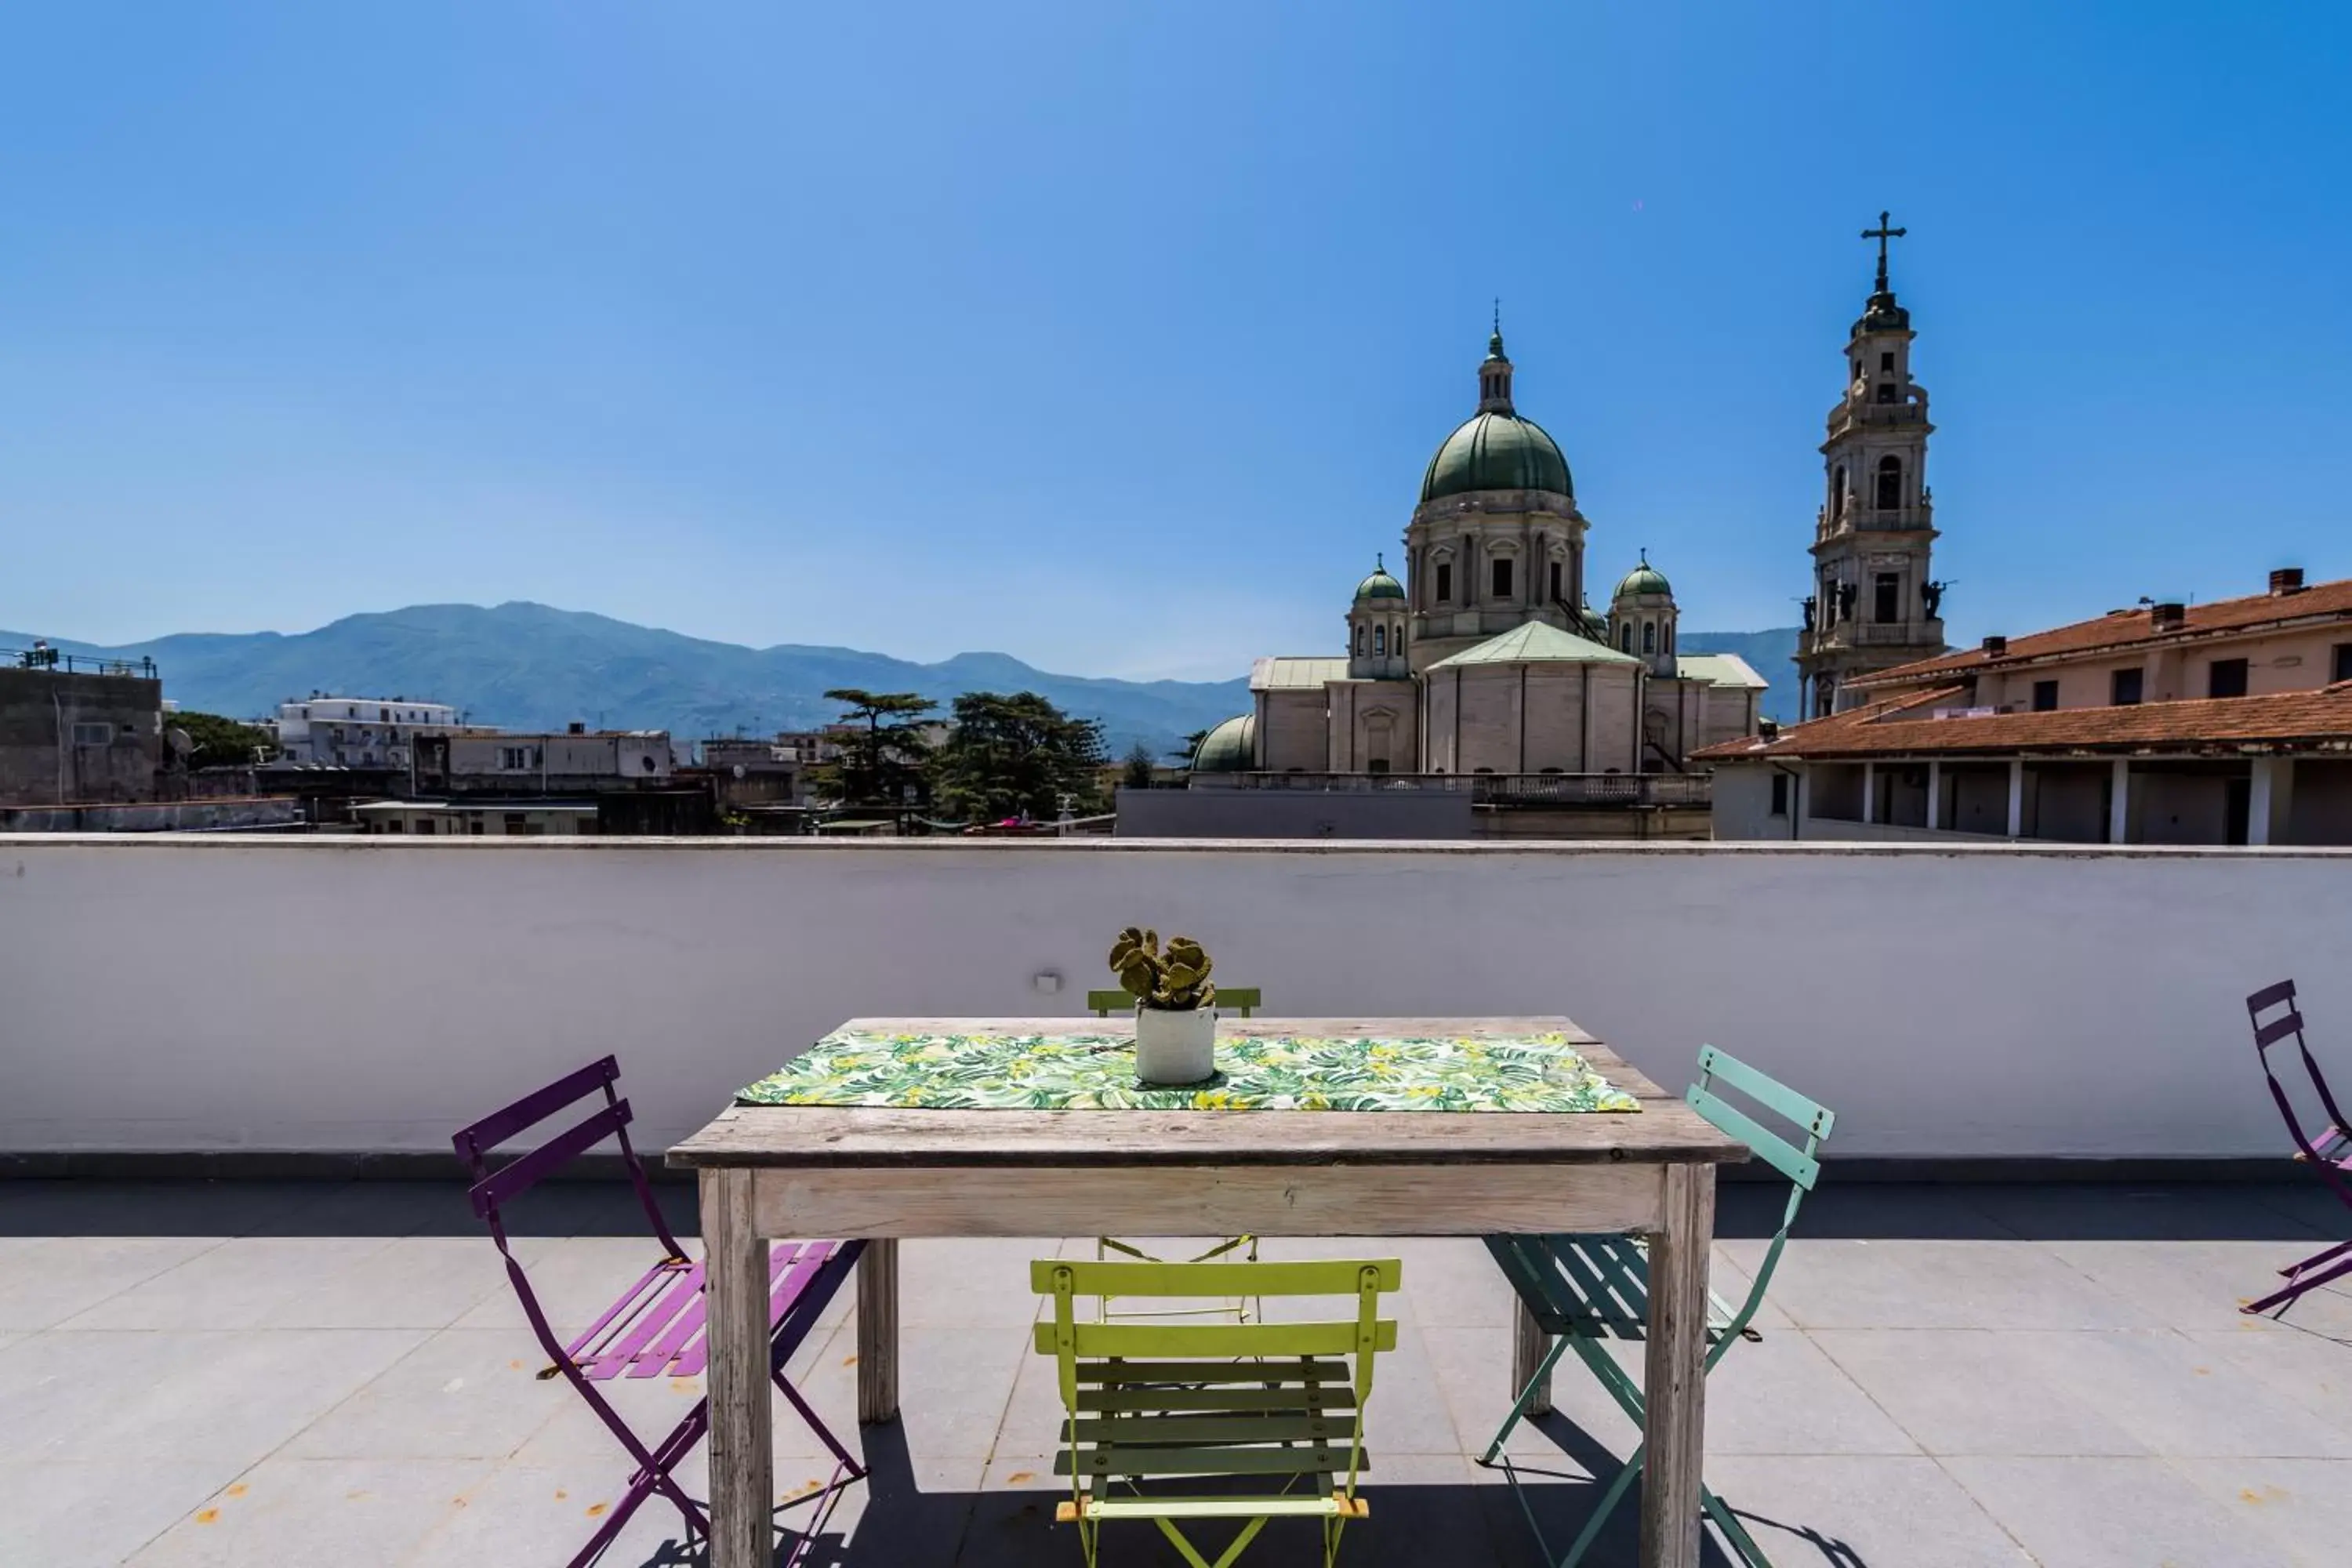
(1118, 335)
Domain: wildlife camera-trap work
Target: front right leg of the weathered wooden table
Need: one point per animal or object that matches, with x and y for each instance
(1676, 1381)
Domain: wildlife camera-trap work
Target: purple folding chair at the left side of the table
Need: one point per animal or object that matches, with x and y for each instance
(657, 1325)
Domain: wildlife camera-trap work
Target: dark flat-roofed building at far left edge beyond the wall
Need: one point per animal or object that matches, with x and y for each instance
(79, 730)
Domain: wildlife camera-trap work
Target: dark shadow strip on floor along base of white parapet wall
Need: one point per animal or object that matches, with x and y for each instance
(1923, 1212)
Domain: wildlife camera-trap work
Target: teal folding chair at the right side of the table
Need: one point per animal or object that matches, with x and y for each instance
(1596, 1289)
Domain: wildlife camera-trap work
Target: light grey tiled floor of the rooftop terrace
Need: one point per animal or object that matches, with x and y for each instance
(1949, 1376)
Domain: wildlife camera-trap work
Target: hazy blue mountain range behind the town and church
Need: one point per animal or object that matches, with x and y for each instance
(530, 666)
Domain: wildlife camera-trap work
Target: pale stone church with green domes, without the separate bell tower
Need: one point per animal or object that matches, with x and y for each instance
(1488, 655)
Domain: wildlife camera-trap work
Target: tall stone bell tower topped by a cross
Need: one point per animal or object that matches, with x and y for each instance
(1876, 601)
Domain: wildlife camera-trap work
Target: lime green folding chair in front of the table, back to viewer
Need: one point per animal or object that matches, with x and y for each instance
(1274, 1409)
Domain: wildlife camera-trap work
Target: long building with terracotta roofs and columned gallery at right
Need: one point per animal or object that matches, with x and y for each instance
(2224, 723)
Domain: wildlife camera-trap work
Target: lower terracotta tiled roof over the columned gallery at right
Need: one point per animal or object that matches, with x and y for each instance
(1909, 728)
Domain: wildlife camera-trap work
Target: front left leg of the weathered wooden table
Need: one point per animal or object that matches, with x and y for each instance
(742, 1435)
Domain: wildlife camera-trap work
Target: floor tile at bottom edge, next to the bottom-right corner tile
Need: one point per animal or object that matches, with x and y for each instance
(2111, 1513)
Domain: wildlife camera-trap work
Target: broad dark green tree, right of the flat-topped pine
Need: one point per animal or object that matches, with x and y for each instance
(1017, 756)
